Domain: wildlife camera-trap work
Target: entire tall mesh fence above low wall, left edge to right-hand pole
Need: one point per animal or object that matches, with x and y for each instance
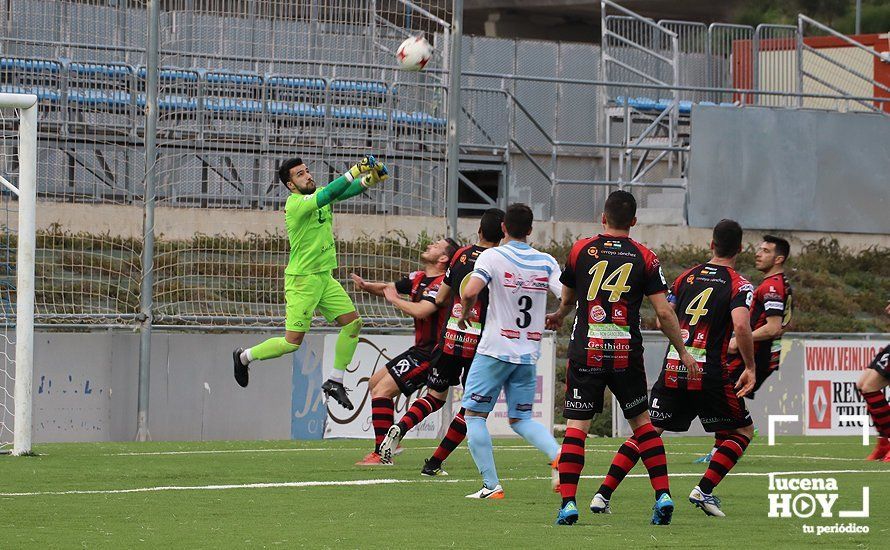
(228, 91)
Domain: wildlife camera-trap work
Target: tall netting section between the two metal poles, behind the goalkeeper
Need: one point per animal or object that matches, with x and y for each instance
(248, 85)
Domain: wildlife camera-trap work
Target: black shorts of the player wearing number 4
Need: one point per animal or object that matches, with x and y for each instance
(716, 406)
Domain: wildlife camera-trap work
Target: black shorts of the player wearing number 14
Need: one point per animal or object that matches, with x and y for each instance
(585, 388)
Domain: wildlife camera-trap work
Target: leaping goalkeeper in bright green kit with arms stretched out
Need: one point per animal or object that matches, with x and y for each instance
(308, 280)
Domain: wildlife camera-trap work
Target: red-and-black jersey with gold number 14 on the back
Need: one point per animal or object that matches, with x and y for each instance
(610, 275)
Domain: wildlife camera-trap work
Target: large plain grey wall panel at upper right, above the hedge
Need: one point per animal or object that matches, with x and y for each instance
(790, 169)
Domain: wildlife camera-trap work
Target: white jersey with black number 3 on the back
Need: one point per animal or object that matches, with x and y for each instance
(518, 279)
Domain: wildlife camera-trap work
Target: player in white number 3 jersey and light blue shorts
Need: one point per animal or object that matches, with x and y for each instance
(518, 278)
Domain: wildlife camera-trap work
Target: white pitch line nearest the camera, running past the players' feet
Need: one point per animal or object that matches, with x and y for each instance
(347, 483)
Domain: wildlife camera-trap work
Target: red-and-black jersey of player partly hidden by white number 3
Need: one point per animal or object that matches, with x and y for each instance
(454, 341)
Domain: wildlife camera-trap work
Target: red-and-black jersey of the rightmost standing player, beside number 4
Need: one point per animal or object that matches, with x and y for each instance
(771, 298)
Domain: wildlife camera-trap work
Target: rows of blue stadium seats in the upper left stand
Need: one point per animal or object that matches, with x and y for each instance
(217, 105)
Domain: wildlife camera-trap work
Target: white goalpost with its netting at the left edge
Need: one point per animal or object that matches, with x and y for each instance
(18, 169)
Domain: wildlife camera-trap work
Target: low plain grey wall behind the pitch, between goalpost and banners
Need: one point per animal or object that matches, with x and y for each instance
(85, 388)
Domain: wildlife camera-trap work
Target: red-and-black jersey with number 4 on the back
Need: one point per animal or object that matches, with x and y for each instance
(704, 298)
